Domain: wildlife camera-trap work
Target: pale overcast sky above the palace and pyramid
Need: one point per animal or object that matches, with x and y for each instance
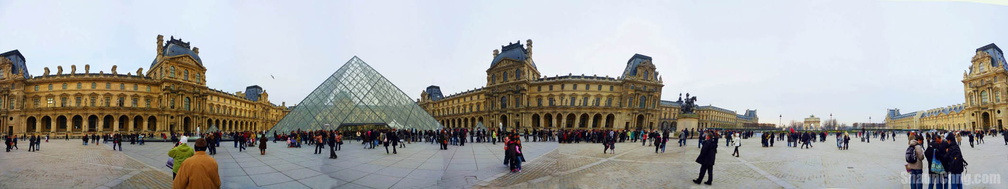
(794, 59)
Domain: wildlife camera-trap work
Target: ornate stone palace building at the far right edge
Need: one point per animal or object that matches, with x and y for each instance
(984, 84)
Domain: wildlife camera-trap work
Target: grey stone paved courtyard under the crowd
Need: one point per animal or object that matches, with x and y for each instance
(68, 164)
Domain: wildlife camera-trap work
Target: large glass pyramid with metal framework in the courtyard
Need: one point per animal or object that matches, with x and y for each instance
(356, 95)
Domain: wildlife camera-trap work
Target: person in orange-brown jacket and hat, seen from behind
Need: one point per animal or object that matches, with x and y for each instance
(199, 171)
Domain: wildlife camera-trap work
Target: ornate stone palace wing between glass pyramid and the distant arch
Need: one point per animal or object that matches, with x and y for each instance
(517, 96)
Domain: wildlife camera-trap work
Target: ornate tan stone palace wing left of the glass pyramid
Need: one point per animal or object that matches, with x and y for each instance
(172, 96)
